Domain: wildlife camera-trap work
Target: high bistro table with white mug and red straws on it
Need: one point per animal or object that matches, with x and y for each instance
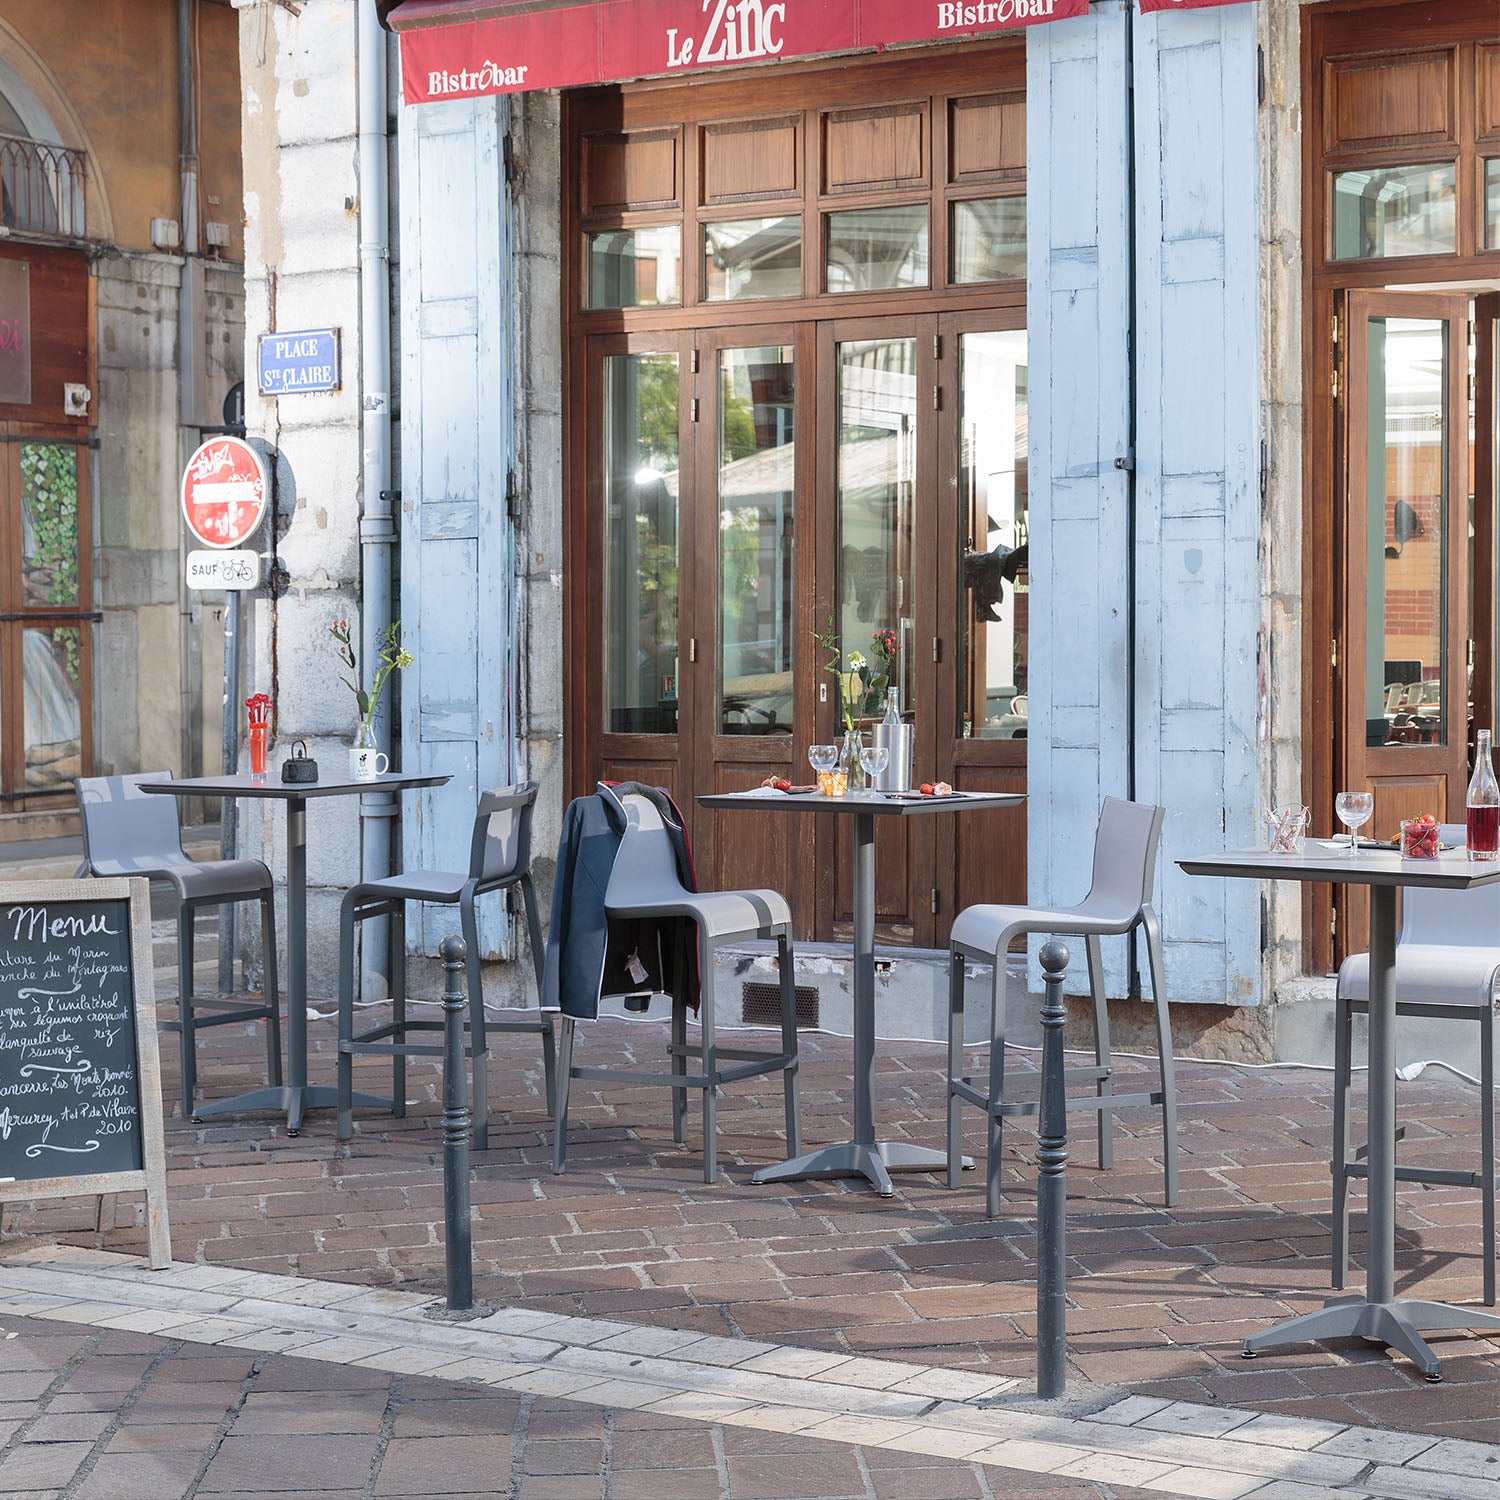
(296, 1097)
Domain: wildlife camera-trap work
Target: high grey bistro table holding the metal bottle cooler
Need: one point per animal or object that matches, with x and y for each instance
(865, 1156)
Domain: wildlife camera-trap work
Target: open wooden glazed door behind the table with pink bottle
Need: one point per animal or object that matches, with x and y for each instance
(1406, 602)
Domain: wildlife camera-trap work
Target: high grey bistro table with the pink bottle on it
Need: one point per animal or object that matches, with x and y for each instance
(1378, 1315)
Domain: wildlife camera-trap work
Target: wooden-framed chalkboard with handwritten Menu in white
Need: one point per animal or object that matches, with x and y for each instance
(80, 1076)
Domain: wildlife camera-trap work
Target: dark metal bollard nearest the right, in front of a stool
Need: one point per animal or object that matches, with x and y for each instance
(1052, 1192)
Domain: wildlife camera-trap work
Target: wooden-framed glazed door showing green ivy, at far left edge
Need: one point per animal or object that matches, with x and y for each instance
(46, 617)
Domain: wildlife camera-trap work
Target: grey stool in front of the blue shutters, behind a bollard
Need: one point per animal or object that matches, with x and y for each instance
(1118, 902)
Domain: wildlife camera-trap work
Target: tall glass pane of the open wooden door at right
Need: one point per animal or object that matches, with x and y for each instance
(1406, 520)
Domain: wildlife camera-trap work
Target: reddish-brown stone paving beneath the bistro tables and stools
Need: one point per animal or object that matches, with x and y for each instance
(1159, 1298)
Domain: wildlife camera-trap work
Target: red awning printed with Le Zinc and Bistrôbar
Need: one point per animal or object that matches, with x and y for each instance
(466, 49)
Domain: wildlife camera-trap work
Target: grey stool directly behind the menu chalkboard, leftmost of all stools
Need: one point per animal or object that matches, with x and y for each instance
(128, 832)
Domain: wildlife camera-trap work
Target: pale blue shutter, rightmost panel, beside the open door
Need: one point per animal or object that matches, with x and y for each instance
(1198, 551)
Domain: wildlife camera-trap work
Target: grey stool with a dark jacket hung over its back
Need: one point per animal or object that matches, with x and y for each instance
(644, 883)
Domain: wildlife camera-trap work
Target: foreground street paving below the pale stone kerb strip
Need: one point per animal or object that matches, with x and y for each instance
(107, 1415)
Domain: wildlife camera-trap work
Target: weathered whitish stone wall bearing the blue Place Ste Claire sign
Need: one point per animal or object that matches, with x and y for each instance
(302, 196)
